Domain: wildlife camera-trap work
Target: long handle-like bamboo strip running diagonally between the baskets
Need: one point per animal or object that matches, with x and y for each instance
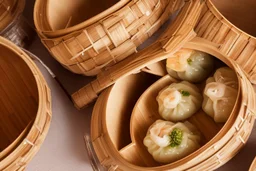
(176, 35)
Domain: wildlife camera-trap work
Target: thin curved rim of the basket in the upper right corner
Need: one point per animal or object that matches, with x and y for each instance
(210, 4)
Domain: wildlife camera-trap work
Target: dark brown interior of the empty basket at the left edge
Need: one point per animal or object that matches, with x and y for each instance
(19, 97)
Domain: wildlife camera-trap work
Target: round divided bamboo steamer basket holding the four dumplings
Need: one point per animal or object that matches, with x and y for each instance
(118, 144)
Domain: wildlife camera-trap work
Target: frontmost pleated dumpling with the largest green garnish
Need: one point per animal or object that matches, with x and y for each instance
(168, 142)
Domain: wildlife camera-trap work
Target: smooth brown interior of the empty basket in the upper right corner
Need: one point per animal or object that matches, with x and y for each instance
(240, 13)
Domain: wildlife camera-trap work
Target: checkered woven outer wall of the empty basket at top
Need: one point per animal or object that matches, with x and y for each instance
(113, 38)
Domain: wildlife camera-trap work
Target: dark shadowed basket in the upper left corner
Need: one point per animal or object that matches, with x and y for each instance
(13, 26)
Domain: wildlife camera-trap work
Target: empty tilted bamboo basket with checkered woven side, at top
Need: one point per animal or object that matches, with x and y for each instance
(88, 41)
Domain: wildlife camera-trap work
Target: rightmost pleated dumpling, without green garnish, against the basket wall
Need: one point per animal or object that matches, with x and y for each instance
(220, 94)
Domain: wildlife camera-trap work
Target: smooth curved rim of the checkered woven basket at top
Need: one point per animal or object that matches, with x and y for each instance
(61, 32)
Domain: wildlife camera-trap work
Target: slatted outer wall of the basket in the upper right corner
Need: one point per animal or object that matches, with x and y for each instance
(233, 42)
